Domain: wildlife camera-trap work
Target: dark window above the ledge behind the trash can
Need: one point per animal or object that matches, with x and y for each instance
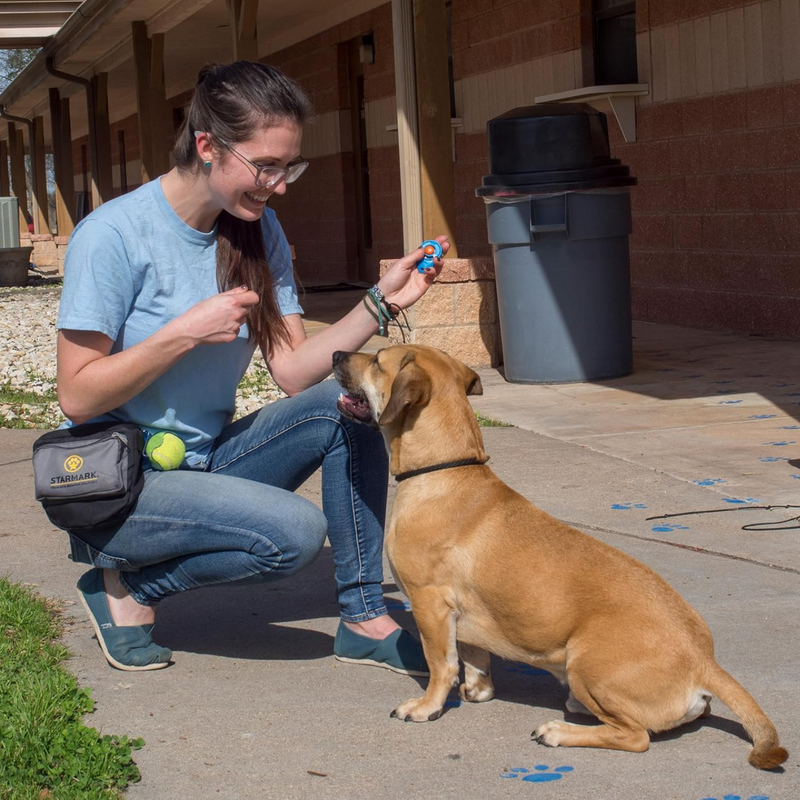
(615, 42)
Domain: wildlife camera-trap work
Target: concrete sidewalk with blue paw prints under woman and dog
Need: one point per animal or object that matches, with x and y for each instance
(255, 706)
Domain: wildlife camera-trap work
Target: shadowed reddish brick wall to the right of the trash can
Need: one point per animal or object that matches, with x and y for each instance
(716, 239)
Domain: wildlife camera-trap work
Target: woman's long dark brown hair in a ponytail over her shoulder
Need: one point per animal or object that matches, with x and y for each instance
(230, 102)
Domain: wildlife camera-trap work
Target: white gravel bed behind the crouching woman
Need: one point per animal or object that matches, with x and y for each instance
(28, 360)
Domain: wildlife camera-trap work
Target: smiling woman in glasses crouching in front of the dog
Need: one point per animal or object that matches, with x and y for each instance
(167, 292)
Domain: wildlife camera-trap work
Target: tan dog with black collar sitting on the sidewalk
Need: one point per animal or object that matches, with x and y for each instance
(486, 571)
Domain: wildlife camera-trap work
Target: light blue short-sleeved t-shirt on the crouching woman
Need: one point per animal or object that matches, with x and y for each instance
(132, 266)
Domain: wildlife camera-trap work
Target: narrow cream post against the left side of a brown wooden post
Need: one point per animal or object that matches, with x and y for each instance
(406, 91)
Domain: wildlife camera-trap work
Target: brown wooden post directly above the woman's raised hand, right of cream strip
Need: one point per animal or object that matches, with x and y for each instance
(433, 108)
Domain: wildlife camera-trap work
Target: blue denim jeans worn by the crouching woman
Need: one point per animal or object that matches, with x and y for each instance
(240, 521)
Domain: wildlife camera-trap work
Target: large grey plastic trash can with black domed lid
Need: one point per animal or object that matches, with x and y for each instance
(558, 214)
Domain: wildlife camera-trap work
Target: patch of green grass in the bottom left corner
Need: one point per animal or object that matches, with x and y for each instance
(45, 749)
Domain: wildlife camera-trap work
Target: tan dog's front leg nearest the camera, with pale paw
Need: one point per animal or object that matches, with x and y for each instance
(436, 621)
